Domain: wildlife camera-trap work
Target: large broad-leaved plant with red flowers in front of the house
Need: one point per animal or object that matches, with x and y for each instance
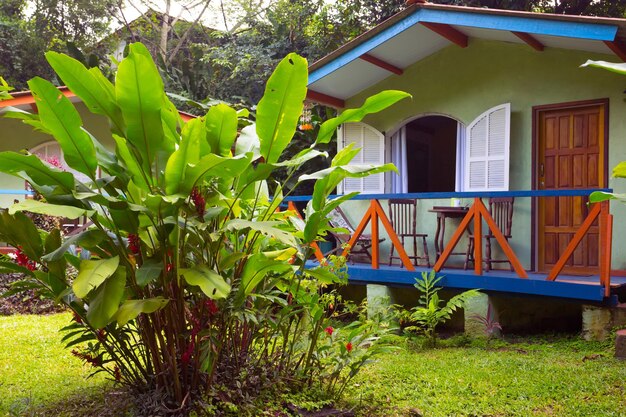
(188, 268)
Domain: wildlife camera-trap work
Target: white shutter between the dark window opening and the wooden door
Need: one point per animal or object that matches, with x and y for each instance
(487, 150)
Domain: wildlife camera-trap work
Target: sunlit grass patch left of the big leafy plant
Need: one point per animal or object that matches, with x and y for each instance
(35, 369)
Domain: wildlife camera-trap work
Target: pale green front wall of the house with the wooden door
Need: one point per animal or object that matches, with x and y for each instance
(464, 82)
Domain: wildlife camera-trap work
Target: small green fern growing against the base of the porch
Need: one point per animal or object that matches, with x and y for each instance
(430, 310)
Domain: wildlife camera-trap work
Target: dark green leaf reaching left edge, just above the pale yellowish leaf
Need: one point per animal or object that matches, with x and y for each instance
(31, 168)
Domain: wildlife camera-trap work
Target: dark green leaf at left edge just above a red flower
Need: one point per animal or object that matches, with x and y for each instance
(19, 230)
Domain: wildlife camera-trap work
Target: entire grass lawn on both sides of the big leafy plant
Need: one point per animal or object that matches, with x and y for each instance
(555, 376)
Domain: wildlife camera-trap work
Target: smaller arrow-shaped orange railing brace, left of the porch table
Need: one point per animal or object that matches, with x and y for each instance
(373, 214)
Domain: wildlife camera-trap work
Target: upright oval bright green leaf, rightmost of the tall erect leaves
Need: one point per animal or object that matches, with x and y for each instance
(281, 106)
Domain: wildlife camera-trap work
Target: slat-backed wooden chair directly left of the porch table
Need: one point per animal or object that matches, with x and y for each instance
(403, 217)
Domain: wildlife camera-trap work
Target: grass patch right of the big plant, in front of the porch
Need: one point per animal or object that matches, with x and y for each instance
(538, 377)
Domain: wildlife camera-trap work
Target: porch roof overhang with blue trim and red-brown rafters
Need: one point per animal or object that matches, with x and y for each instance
(423, 29)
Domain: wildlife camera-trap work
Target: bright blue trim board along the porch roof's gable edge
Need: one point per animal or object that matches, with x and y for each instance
(578, 30)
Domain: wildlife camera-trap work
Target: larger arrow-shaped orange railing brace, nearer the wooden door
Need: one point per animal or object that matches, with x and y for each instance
(478, 212)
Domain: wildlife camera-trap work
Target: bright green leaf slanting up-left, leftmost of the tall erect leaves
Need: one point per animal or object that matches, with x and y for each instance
(60, 117)
